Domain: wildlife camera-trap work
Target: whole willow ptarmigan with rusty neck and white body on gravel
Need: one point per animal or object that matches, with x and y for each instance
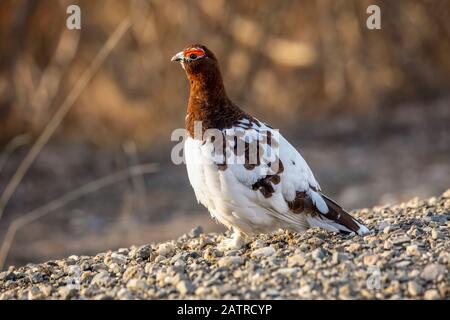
(249, 177)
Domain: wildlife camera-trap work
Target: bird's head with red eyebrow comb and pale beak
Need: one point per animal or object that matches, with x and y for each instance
(196, 58)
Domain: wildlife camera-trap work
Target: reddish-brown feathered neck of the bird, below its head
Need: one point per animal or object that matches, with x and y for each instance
(208, 101)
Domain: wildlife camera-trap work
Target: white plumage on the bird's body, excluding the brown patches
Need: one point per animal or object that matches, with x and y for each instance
(230, 198)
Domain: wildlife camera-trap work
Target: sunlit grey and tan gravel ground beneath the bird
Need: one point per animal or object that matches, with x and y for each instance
(406, 256)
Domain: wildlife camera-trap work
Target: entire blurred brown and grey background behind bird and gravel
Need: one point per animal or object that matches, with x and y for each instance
(368, 109)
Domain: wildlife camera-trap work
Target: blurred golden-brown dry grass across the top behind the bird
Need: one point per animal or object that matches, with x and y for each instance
(284, 60)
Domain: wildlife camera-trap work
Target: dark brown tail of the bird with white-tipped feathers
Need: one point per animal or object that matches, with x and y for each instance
(336, 219)
